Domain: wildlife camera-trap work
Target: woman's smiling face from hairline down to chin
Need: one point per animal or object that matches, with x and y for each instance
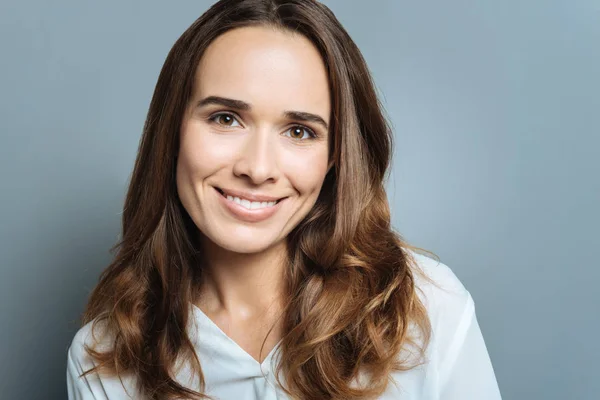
(254, 140)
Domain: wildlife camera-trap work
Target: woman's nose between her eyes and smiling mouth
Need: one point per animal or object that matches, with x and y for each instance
(257, 159)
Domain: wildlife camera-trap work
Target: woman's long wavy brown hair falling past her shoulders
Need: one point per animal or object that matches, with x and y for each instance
(351, 287)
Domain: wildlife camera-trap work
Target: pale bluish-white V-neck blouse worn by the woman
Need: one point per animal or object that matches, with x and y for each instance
(458, 367)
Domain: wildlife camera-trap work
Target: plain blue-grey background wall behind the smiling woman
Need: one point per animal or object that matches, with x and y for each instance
(495, 105)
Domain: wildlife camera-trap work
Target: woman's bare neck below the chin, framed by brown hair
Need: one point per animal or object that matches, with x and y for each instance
(242, 285)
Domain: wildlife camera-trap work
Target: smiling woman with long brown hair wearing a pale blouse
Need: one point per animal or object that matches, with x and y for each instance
(257, 259)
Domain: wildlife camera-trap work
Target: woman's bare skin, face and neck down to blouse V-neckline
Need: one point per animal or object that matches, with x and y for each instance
(258, 149)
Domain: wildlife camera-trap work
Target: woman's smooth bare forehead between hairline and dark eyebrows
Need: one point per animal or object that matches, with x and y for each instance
(266, 67)
